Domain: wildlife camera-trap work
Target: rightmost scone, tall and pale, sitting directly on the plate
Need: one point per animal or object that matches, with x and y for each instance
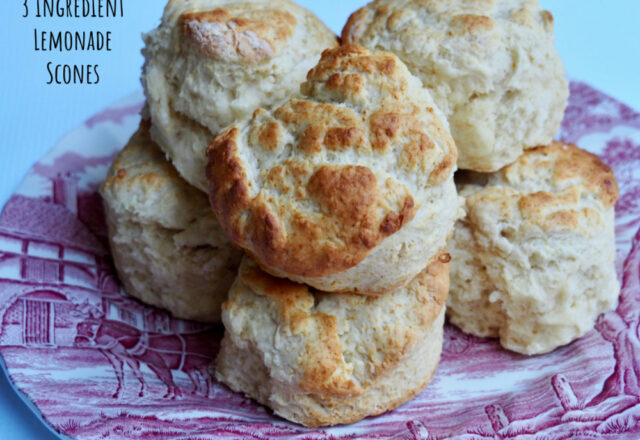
(533, 260)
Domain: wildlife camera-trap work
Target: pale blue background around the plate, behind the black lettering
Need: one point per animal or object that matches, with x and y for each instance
(599, 42)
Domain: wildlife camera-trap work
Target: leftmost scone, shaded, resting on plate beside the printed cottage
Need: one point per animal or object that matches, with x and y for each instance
(167, 246)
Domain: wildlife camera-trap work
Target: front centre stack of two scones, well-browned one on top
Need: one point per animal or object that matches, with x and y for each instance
(348, 189)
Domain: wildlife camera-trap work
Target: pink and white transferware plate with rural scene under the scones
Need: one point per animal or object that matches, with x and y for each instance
(97, 364)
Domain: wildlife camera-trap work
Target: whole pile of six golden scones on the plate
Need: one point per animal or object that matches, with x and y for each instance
(331, 169)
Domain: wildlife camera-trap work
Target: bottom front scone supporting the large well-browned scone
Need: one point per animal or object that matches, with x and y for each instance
(325, 359)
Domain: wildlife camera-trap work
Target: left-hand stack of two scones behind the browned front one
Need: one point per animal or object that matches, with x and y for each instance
(209, 63)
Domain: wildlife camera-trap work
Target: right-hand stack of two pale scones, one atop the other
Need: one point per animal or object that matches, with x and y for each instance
(533, 259)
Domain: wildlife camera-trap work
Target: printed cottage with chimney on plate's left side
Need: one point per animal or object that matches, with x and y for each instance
(41, 277)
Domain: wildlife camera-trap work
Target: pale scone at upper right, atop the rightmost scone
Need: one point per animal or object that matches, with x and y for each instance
(490, 65)
